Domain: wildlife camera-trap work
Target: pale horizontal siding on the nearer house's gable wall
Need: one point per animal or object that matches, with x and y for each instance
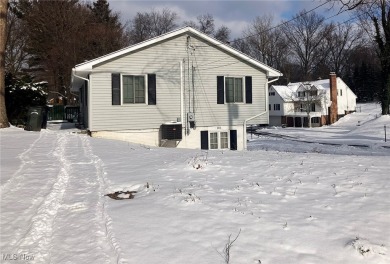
(164, 60)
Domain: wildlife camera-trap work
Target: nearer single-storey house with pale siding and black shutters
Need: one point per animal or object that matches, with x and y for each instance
(181, 89)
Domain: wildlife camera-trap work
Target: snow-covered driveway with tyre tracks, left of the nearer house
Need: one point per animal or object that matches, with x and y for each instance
(52, 204)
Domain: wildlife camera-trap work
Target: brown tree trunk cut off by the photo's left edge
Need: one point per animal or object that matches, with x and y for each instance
(3, 26)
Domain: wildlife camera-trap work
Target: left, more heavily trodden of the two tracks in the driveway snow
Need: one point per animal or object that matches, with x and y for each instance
(38, 237)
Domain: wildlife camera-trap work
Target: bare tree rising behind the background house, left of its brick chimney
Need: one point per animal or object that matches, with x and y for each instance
(306, 34)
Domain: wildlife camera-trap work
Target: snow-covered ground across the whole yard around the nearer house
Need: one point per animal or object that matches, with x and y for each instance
(285, 200)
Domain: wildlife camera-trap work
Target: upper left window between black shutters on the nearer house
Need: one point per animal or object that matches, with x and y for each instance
(134, 89)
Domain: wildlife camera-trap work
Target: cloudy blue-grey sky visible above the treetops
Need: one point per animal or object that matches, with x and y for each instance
(236, 15)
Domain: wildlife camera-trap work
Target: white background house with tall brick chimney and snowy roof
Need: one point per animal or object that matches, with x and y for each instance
(313, 104)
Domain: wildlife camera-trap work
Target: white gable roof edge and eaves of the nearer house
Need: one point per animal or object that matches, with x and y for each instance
(83, 69)
